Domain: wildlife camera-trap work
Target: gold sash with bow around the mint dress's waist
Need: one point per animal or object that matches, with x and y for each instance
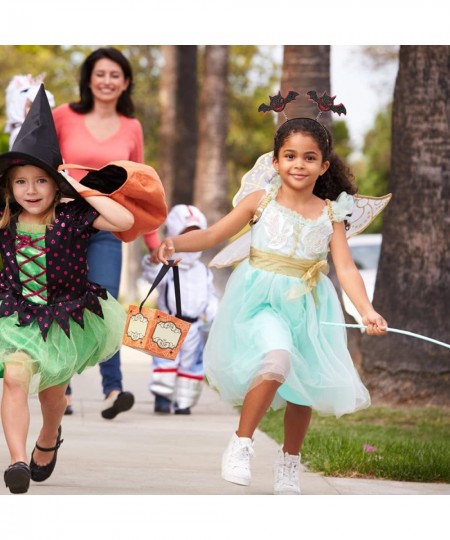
(307, 270)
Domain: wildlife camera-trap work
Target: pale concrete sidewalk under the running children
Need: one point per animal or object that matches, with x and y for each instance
(141, 453)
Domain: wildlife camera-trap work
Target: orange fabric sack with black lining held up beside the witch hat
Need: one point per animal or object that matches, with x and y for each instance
(135, 186)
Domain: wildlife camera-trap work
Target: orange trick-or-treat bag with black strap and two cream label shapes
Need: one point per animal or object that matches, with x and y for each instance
(153, 331)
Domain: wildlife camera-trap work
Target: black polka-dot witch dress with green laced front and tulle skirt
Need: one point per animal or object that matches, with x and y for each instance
(53, 321)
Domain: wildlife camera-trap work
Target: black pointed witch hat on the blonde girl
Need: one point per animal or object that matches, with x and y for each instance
(37, 144)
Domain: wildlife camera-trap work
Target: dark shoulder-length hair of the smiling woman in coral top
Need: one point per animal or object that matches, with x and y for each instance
(125, 104)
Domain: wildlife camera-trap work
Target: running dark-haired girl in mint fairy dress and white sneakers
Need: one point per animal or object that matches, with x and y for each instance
(267, 347)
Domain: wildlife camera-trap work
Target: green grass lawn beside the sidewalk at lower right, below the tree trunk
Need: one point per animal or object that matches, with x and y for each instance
(401, 443)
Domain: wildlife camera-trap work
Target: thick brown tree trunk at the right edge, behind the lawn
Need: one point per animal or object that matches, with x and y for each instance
(413, 282)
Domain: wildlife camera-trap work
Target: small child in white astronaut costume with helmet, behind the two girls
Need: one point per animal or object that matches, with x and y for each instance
(177, 384)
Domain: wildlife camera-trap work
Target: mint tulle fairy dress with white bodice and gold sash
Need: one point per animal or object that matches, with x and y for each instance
(268, 326)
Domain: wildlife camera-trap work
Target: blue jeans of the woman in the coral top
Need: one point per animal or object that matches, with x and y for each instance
(105, 264)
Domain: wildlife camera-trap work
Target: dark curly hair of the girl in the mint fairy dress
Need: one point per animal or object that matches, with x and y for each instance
(338, 177)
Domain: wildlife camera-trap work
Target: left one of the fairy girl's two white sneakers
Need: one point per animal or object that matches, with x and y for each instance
(236, 460)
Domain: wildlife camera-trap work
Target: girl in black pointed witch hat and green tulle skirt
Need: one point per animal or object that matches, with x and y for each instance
(53, 321)
